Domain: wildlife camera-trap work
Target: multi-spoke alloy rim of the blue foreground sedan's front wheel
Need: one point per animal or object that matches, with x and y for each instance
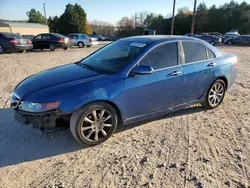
(96, 125)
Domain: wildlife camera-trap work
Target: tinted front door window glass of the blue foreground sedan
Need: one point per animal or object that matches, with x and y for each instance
(163, 56)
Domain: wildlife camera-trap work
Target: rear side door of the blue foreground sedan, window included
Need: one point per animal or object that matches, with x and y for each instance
(199, 70)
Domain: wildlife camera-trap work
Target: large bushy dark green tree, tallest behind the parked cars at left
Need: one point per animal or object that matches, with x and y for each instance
(73, 20)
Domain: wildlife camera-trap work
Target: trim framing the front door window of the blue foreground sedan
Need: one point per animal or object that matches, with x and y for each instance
(178, 59)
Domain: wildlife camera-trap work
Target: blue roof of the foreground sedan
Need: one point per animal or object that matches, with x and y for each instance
(148, 39)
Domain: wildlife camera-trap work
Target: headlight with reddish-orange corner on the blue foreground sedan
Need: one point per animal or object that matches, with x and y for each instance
(38, 107)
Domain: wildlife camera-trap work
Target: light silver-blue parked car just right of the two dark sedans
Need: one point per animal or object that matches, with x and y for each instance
(80, 40)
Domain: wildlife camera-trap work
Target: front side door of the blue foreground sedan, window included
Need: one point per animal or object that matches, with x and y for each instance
(159, 90)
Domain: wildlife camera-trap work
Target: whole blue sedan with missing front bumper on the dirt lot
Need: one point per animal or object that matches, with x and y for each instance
(127, 81)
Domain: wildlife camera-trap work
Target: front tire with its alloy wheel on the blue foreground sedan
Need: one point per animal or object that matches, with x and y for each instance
(94, 123)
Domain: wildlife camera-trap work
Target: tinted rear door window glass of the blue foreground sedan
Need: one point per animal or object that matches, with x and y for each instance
(194, 51)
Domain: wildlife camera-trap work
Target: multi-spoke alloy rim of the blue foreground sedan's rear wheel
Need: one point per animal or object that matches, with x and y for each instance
(216, 94)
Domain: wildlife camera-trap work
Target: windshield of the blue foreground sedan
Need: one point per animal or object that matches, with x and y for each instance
(114, 57)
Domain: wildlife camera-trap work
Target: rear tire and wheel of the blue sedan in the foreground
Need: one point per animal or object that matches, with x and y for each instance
(215, 94)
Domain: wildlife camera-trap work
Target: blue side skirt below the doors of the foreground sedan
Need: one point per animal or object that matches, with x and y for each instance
(157, 113)
